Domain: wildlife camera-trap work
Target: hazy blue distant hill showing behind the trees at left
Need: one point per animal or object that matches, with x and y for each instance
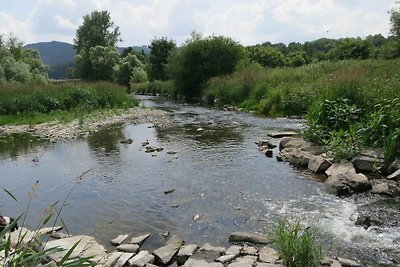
(60, 56)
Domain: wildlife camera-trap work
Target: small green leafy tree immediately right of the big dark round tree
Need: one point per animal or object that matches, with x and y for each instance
(266, 56)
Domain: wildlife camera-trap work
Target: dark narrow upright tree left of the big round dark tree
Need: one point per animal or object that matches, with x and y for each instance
(160, 51)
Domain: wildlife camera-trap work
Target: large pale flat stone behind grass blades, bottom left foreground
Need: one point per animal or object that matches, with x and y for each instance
(87, 247)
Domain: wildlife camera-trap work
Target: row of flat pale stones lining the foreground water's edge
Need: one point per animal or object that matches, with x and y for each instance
(246, 250)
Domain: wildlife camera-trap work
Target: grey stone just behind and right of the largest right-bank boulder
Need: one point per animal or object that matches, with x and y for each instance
(370, 160)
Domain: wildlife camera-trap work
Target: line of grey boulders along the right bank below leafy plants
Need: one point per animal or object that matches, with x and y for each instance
(344, 178)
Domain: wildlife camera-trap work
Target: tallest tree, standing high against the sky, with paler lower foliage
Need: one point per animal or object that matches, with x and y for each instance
(96, 36)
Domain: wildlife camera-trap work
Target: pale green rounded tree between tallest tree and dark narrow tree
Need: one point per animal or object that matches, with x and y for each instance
(123, 70)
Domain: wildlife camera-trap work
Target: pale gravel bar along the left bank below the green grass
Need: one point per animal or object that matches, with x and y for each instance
(57, 131)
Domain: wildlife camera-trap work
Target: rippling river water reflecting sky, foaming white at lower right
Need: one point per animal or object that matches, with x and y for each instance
(217, 175)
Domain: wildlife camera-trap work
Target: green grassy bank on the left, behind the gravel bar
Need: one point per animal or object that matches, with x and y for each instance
(32, 104)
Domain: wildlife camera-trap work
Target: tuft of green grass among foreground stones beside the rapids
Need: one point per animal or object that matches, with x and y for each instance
(296, 246)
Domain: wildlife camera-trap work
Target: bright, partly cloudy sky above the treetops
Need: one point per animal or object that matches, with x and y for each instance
(246, 21)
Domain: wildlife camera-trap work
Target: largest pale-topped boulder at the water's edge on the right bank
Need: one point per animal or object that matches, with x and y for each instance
(343, 180)
